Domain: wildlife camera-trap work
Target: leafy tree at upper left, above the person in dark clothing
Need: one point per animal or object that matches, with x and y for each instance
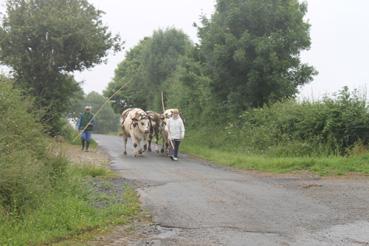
(43, 41)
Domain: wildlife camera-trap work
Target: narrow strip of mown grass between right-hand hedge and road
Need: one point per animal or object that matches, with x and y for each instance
(329, 165)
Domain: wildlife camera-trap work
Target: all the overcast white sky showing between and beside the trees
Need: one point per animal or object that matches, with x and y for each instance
(339, 34)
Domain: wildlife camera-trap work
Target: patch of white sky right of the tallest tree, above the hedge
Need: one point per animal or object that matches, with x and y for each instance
(340, 46)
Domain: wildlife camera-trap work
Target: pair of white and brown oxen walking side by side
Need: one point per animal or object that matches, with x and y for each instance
(142, 126)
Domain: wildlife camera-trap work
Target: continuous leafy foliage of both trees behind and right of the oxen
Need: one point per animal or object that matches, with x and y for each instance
(248, 56)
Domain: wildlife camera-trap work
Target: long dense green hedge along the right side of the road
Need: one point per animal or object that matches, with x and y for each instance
(332, 126)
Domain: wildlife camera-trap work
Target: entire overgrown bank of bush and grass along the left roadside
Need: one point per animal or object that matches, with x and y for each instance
(43, 197)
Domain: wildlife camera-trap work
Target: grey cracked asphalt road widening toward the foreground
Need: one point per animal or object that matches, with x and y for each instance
(195, 203)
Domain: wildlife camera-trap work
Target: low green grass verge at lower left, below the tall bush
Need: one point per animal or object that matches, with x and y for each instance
(77, 207)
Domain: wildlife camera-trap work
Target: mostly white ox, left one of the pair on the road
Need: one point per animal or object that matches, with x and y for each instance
(135, 125)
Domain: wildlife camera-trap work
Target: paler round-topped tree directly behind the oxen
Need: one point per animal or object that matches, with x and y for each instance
(147, 67)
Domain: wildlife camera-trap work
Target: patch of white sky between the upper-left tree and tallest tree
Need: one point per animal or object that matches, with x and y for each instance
(134, 20)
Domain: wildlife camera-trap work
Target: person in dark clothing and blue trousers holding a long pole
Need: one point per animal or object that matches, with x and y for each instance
(85, 124)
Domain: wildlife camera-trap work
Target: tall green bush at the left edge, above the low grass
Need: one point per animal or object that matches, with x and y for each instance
(26, 169)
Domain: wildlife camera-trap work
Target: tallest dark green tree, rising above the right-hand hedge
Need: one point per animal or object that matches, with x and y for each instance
(251, 50)
